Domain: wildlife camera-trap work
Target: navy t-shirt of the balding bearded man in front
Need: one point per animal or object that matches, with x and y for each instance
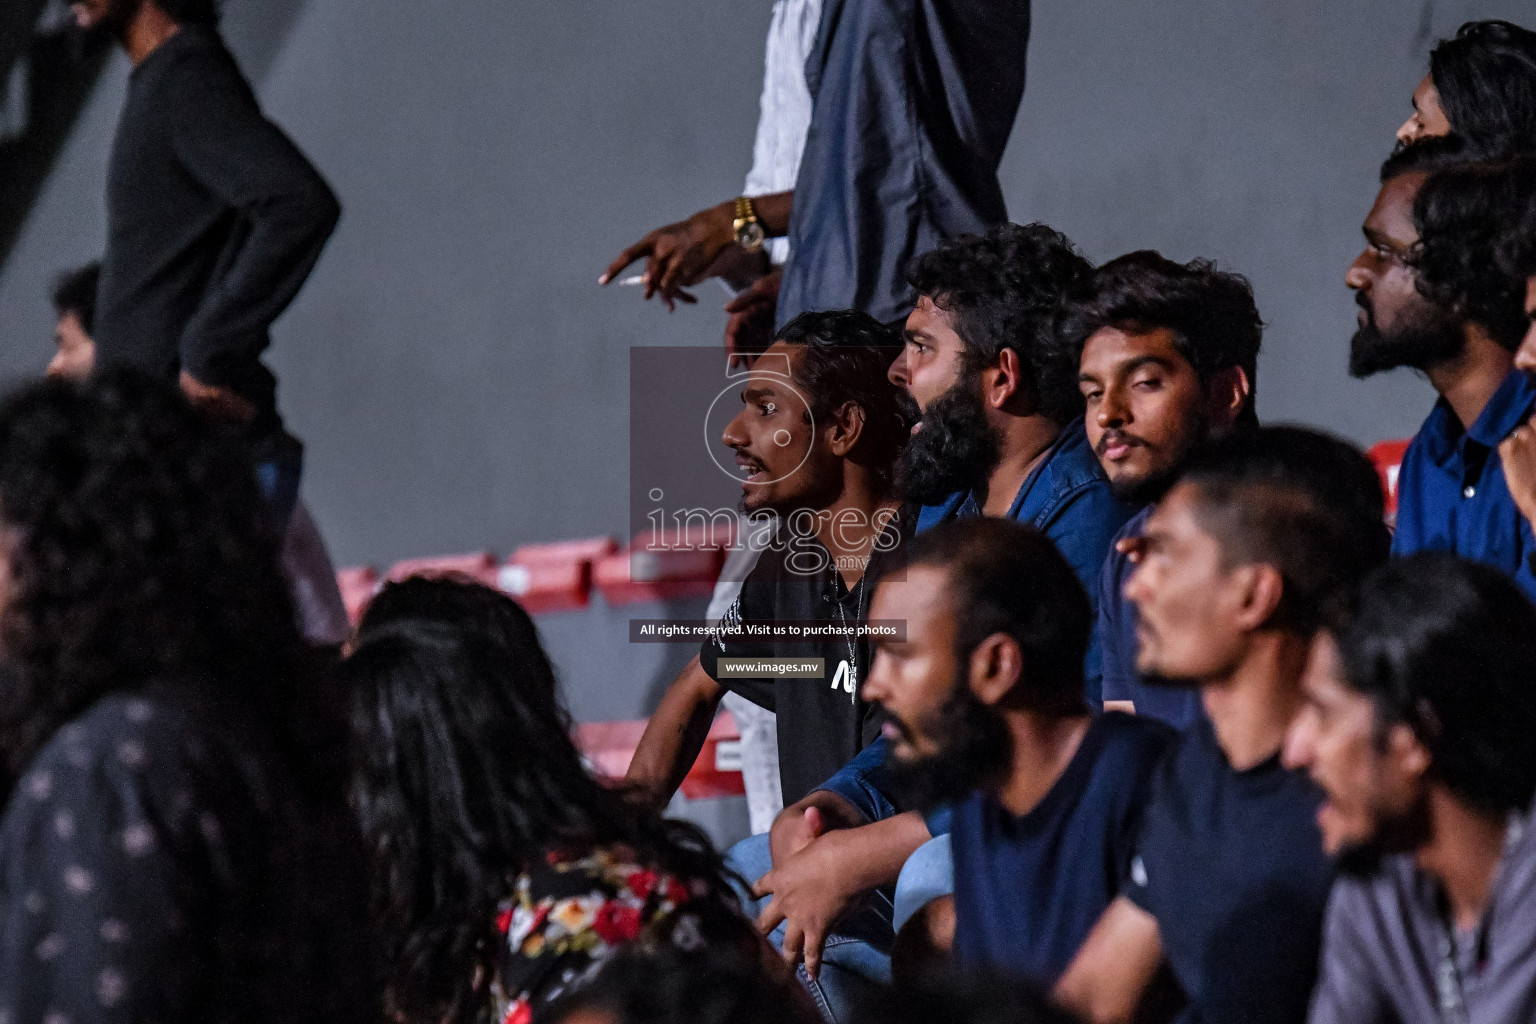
(1030, 890)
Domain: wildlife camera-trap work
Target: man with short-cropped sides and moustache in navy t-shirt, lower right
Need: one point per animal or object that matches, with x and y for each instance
(1230, 882)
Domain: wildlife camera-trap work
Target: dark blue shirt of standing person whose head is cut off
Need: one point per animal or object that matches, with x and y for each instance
(913, 108)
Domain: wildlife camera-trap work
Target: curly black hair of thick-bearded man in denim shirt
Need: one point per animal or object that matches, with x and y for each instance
(1002, 291)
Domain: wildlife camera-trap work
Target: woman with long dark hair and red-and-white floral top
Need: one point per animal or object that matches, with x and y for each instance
(505, 874)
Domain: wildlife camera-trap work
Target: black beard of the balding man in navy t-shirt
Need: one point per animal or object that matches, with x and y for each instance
(975, 750)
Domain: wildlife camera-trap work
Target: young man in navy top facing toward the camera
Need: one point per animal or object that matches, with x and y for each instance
(1167, 355)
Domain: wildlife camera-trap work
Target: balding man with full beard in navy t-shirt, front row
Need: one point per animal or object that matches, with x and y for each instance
(985, 707)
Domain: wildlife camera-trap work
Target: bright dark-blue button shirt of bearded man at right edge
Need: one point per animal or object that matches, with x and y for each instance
(1452, 495)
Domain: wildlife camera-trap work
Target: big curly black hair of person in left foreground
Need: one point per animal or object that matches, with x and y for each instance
(139, 557)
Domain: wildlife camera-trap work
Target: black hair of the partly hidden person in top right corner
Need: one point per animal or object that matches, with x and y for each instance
(1486, 79)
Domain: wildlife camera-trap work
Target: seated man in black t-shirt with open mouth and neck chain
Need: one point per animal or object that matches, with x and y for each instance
(819, 435)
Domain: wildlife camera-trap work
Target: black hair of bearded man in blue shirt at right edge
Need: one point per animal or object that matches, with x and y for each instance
(1462, 216)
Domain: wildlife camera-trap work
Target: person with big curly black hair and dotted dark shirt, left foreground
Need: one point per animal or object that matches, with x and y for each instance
(177, 844)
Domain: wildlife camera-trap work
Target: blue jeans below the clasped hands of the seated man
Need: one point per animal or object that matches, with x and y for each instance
(856, 960)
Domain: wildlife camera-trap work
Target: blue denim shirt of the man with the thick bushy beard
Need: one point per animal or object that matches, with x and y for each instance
(1070, 501)
